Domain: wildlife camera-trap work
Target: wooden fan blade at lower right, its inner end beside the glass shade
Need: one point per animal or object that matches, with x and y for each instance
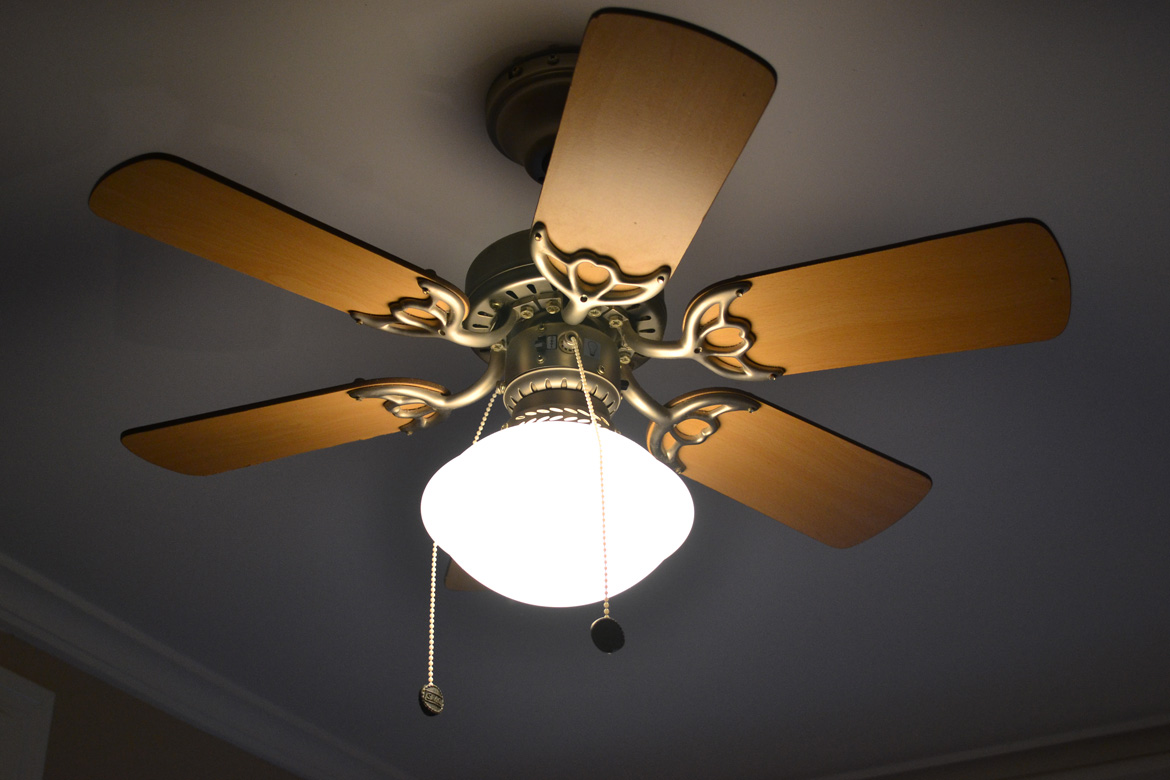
(806, 477)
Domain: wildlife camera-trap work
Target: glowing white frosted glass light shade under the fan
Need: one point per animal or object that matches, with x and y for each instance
(520, 512)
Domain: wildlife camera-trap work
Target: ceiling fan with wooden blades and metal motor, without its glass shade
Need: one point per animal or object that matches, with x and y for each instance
(632, 139)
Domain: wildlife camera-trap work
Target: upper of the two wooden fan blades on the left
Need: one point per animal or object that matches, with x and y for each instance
(197, 211)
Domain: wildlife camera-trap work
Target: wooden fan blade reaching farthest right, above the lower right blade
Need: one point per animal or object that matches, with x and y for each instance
(989, 287)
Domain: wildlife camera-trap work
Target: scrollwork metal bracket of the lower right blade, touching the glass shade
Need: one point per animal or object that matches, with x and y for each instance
(703, 406)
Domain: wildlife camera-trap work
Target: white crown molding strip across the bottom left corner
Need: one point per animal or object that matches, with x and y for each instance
(46, 615)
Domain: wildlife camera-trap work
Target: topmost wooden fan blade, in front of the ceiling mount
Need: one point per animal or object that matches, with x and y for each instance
(657, 115)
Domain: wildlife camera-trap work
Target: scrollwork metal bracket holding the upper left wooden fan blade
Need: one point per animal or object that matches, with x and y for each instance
(442, 314)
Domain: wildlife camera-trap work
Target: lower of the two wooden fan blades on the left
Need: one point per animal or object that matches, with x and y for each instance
(247, 436)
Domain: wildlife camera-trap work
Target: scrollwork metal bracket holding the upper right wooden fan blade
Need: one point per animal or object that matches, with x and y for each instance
(699, 326)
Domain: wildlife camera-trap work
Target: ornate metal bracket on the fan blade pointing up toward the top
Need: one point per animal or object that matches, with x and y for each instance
(615, 291)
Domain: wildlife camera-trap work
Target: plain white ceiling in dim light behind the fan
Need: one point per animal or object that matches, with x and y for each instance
(1023, 602)
